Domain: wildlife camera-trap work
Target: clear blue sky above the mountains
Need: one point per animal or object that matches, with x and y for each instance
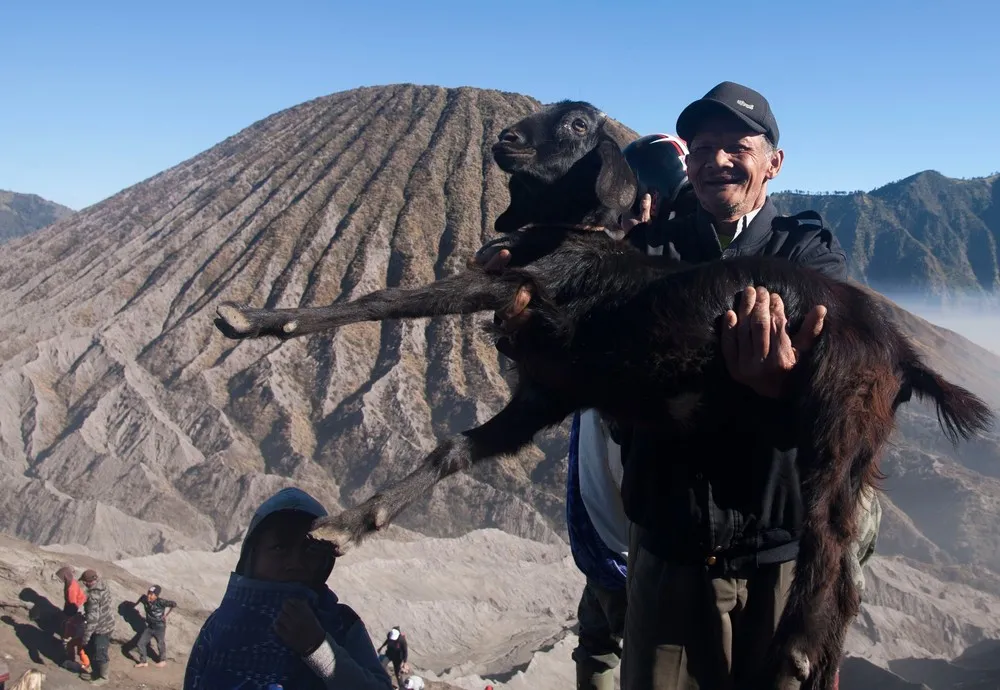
(97, 96)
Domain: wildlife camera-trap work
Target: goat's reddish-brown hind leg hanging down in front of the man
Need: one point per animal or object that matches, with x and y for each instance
(849, 425)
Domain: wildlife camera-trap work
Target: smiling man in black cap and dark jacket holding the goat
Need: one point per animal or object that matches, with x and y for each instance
(712, 552)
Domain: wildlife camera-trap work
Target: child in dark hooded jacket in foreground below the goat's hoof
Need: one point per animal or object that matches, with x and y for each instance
(278, 622)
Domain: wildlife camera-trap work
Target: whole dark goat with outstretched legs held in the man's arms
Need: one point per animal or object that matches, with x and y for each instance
(637, 338)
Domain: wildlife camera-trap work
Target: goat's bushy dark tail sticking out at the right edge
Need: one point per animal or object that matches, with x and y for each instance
(960, 412)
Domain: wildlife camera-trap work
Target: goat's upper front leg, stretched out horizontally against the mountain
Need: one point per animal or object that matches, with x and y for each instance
(467, 292)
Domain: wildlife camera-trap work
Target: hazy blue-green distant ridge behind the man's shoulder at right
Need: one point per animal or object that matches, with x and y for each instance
(926, 234)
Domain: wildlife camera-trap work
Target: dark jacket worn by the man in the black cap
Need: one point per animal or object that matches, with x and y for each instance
(729, 501)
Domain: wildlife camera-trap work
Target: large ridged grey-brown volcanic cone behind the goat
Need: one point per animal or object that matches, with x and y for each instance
(129, 425)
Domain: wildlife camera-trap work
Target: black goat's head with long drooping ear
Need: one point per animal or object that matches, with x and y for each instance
(565, 166)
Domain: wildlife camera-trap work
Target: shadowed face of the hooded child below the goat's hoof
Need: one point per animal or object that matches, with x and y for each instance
(286, 553)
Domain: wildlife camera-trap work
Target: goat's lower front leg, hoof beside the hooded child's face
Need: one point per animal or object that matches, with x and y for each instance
(530, 411)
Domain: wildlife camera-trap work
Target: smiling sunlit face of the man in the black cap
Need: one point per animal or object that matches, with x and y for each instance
(729, 167)
